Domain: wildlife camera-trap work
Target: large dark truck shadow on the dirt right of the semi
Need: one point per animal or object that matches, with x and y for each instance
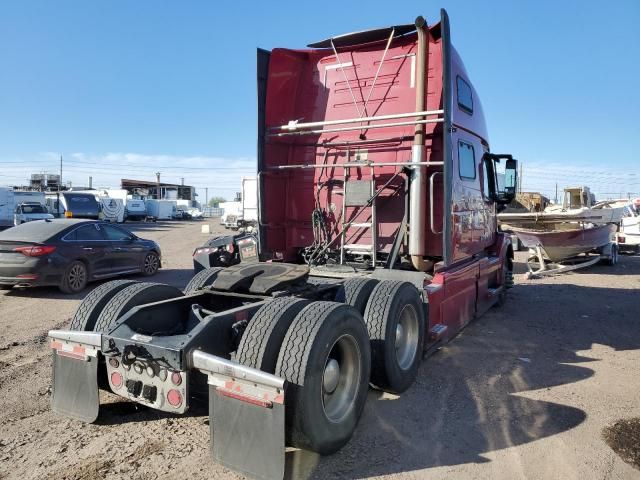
(465, 402)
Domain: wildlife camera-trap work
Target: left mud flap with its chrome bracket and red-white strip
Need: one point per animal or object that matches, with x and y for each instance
(75, 375)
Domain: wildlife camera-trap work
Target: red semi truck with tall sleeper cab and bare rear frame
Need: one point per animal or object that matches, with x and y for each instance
(377, 242)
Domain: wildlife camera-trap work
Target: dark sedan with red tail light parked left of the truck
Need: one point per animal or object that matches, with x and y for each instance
(69, 253)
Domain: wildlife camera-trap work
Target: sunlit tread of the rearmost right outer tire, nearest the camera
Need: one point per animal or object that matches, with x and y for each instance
(292, 361)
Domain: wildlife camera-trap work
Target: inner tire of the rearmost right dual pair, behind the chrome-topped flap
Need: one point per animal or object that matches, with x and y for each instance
(260, 344)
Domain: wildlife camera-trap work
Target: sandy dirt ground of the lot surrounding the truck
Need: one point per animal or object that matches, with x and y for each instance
(524, 392)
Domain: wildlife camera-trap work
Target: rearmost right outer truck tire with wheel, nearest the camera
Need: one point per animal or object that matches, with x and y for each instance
(325, 359)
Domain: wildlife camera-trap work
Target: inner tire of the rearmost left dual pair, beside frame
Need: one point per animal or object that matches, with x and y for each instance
(133, 296)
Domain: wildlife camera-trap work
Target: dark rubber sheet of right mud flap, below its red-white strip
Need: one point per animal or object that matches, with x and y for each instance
(247, 438)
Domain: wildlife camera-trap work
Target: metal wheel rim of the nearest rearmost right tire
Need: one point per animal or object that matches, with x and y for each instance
(341, 378)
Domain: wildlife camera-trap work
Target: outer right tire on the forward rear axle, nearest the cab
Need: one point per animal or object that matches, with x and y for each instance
(395, 321)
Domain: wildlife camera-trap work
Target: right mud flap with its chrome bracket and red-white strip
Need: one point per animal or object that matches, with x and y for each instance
(246, 417)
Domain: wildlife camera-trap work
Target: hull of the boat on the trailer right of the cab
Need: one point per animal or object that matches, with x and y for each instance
(563, 244)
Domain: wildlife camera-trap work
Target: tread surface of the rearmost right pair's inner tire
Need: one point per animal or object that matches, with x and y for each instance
(256, 337)
